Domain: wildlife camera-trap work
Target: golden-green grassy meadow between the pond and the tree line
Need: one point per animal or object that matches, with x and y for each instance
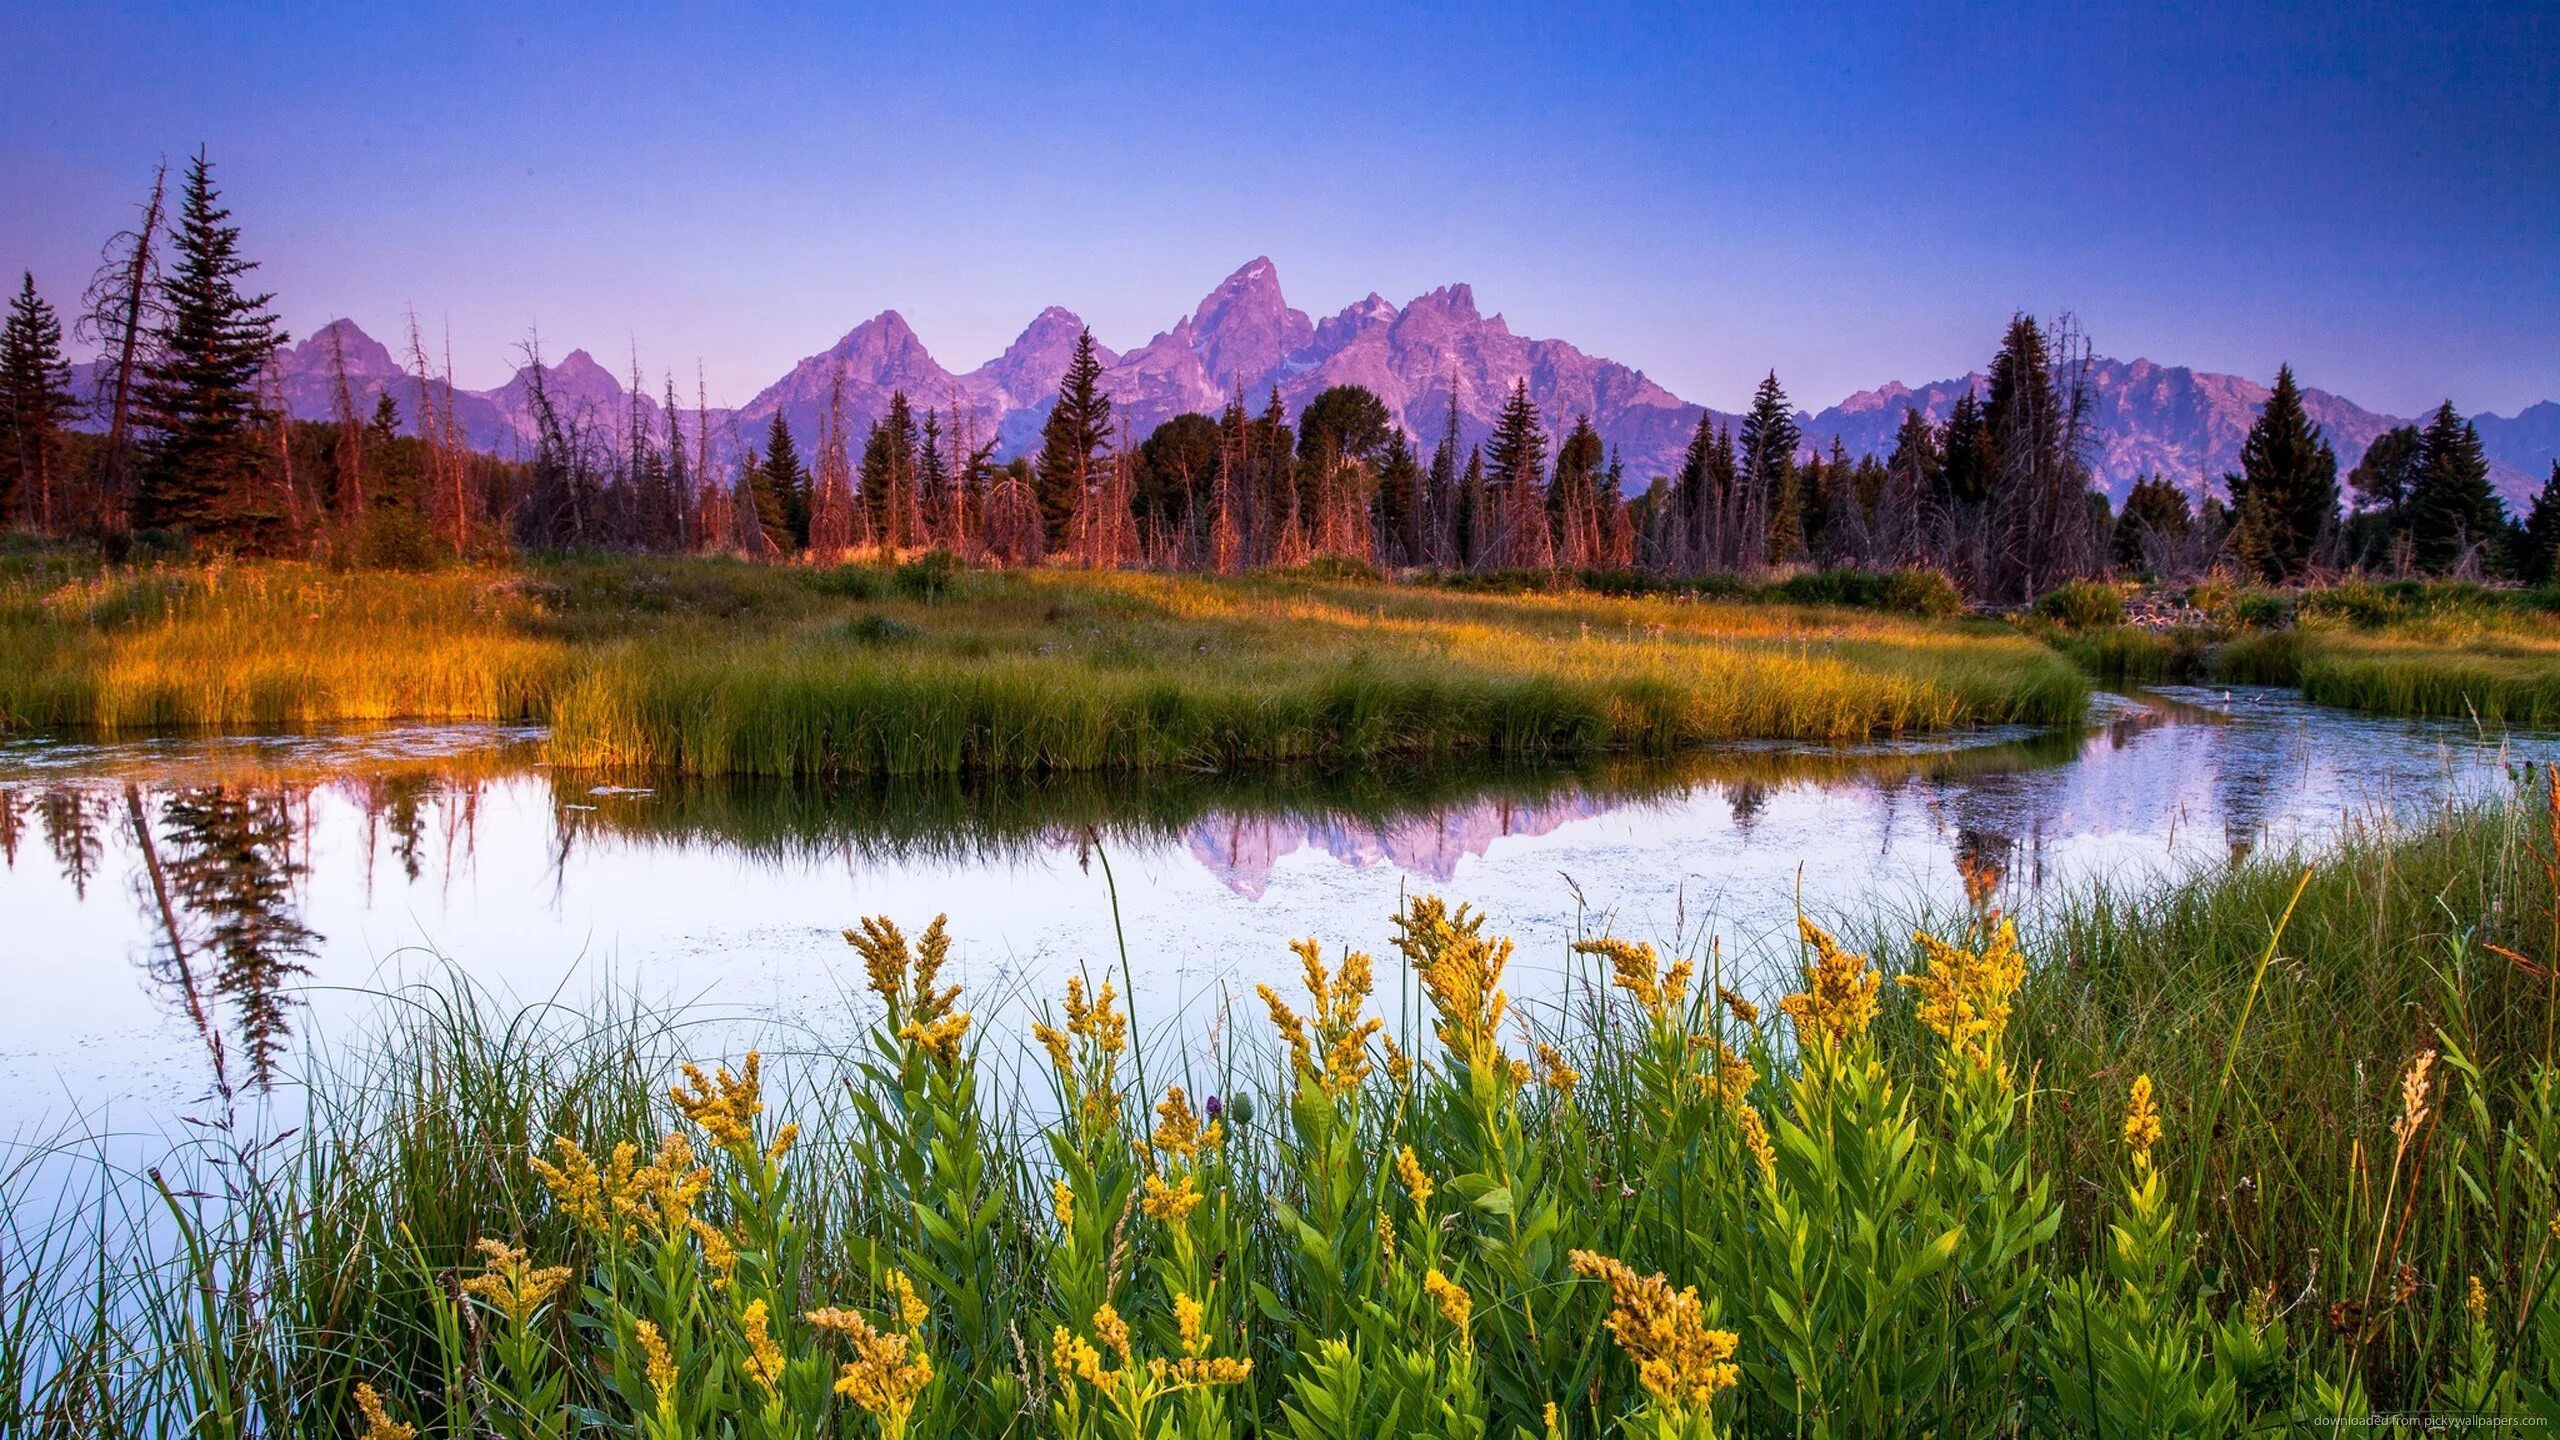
(716, 667)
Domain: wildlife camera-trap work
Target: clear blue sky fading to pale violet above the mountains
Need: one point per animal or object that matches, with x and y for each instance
(1706, 193)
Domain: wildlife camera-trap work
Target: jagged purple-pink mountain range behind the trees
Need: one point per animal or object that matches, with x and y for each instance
(1245, 337)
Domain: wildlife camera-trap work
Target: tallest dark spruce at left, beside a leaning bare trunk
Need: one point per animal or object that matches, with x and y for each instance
(198, 398)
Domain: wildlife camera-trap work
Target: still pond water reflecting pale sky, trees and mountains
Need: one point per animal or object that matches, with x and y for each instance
(183, 908)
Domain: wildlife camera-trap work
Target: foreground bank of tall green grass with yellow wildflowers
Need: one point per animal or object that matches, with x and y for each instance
(2262, 1149)
